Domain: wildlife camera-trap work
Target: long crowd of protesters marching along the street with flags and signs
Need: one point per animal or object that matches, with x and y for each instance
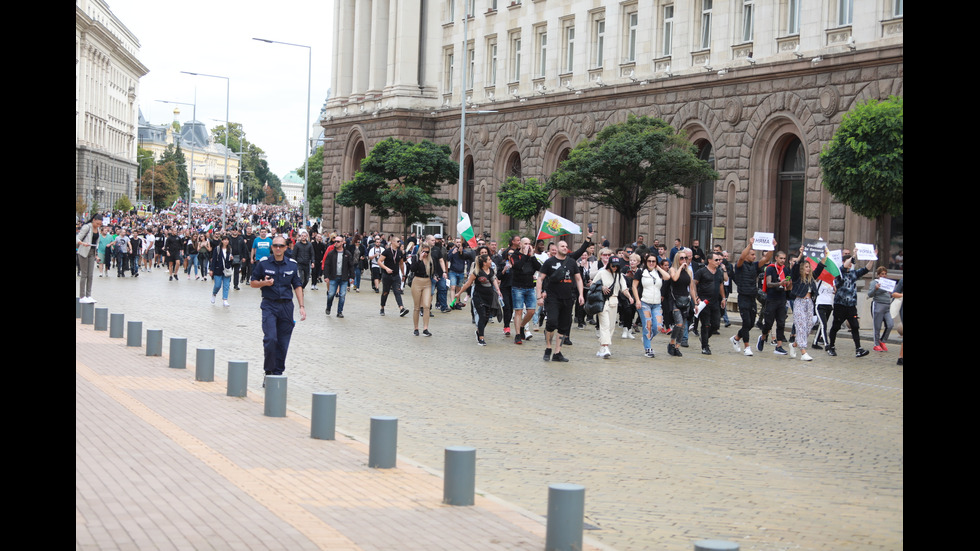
(524, 285)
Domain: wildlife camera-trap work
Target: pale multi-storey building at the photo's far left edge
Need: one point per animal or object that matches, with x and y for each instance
(107, 73)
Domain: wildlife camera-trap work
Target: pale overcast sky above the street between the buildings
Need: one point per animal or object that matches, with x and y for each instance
(268, 82)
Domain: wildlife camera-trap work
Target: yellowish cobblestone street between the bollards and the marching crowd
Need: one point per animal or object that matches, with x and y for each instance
(768, 452)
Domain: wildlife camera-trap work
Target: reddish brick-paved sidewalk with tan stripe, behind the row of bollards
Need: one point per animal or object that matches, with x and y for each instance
(165, 462)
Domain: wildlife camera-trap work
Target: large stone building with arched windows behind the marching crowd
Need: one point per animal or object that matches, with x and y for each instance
(758, 87)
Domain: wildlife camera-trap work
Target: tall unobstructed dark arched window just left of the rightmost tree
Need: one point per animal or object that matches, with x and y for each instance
(791, 185)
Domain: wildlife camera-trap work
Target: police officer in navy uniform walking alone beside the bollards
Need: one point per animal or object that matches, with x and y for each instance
(278, 277)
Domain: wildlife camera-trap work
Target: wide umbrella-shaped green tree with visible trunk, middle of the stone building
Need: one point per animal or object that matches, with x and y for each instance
(628, 164)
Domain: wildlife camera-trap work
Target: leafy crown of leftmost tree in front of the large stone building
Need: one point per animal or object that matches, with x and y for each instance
(401, 177)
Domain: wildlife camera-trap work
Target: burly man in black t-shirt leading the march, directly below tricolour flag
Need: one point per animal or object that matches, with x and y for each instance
(558, 283)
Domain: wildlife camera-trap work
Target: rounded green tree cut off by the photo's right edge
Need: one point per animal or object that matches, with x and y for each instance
(863, 164)
